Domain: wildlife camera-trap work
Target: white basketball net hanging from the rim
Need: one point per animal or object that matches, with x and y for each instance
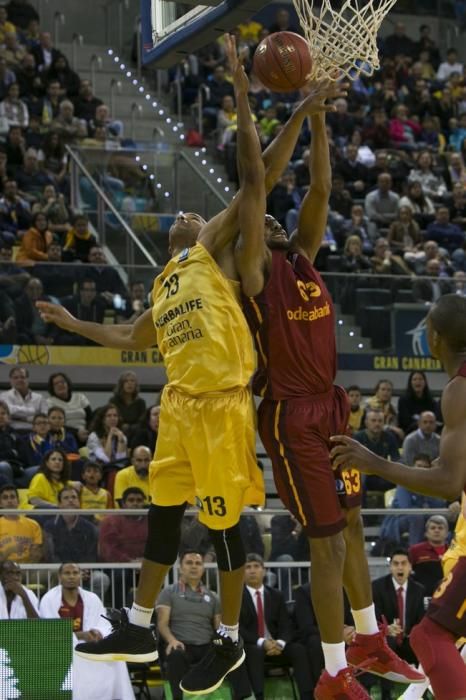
(343, 40)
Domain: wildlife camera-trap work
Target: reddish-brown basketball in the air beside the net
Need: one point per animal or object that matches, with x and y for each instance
(283, 62)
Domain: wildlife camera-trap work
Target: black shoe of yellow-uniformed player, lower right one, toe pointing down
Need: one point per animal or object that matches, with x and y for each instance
(223, 657)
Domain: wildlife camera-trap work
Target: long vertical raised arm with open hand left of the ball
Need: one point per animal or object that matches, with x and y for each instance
(250, 248)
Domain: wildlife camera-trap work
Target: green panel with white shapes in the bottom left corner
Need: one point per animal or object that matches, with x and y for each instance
(35, 659)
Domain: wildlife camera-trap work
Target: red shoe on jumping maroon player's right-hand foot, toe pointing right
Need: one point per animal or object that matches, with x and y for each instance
(373, 652)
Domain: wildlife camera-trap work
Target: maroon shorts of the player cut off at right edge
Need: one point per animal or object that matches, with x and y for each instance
(448, 605)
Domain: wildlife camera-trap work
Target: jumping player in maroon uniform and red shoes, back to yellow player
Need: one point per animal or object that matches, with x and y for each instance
(291, 317)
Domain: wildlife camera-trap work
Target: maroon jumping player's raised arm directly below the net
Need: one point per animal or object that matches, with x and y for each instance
(313, 212)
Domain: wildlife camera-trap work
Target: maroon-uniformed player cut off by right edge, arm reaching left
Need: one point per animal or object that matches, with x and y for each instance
(434, 638)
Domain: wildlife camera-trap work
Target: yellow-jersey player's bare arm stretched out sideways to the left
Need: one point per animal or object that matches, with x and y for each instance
(139, 335)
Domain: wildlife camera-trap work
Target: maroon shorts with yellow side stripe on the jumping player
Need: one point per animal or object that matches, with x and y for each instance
(295, 433)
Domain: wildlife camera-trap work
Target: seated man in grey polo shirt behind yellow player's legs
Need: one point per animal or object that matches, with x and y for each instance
(188, 613)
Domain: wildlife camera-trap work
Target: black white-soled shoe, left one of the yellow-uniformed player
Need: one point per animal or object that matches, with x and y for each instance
(126, 642)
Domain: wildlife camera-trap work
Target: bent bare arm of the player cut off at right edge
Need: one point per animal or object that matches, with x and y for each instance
(448, 475)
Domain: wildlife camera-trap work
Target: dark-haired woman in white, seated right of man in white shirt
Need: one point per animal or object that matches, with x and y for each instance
(75, 404)
